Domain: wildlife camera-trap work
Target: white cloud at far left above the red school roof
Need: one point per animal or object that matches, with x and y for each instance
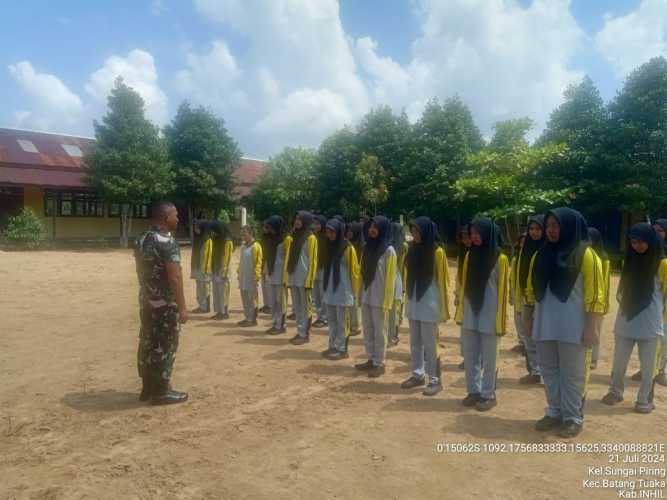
(54, 104)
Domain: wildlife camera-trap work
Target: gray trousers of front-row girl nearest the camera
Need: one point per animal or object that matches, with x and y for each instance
(563, 367)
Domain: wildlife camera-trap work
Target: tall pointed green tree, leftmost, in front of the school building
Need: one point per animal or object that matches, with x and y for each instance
(129, 163)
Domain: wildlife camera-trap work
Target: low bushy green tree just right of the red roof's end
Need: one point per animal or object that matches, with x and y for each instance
(287, 185)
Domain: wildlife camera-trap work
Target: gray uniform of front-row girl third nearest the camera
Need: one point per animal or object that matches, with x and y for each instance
(424, 315)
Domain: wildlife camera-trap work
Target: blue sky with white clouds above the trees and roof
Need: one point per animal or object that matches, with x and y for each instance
(290, 72)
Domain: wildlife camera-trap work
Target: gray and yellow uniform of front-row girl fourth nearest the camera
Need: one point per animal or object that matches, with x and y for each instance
(372, 313)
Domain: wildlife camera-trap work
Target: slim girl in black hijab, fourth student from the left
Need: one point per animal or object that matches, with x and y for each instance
(277, 246)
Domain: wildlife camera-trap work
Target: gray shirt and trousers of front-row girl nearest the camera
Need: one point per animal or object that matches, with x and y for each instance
(558, 329)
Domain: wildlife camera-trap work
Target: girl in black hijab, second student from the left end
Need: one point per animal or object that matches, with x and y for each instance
(222, 249)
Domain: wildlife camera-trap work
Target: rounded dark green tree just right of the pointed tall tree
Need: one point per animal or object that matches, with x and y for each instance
(204, 156)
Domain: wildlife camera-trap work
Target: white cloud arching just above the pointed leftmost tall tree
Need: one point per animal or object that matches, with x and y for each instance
(139, 72)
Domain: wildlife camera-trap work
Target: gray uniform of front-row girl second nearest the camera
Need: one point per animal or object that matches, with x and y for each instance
(480, 341)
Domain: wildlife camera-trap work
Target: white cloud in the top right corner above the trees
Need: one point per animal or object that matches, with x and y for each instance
(630, 40)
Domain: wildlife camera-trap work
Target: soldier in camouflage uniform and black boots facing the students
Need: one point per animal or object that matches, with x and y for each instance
(162, 305)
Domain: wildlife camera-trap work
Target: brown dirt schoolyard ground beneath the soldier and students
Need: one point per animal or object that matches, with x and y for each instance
(265, 419)
